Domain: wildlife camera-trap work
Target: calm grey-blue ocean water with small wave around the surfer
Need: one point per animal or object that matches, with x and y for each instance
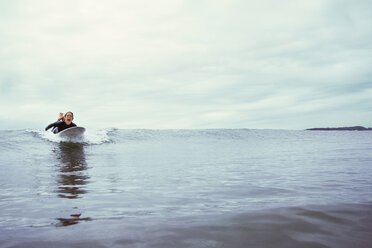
(186, 188)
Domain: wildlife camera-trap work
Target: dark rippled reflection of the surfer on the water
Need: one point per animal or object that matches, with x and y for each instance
(72, 177)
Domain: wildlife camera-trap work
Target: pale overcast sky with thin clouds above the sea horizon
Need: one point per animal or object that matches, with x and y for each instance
(284, 64)
